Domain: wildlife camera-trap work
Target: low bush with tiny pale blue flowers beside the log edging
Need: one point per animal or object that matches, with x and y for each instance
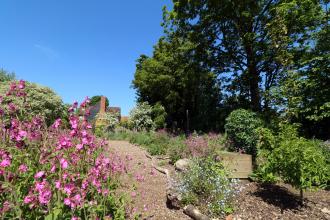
(206, 184)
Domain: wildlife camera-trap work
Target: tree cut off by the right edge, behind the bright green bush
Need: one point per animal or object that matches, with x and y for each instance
(307, 88)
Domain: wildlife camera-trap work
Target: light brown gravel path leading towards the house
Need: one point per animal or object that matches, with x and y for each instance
(148, 184)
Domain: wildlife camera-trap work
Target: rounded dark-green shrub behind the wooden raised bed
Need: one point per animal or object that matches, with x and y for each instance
(241, 128)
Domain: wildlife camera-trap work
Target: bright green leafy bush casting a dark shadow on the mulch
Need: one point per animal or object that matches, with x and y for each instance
(300, 162)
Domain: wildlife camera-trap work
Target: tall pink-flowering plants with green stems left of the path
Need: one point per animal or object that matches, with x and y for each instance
(54, 173)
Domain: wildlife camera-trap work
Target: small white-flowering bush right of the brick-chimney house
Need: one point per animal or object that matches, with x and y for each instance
(141, 117)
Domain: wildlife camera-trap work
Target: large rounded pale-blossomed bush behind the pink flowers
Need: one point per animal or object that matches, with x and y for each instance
(42, 101)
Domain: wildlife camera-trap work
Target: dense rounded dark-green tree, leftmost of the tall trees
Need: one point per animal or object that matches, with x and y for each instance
(173, 78)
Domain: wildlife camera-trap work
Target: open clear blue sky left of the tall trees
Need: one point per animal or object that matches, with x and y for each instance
(79, 47)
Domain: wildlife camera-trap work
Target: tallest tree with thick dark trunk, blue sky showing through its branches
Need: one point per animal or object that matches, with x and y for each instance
(249, 44)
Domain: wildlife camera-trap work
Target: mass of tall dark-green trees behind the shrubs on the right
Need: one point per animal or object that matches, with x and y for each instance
(271, 57)
